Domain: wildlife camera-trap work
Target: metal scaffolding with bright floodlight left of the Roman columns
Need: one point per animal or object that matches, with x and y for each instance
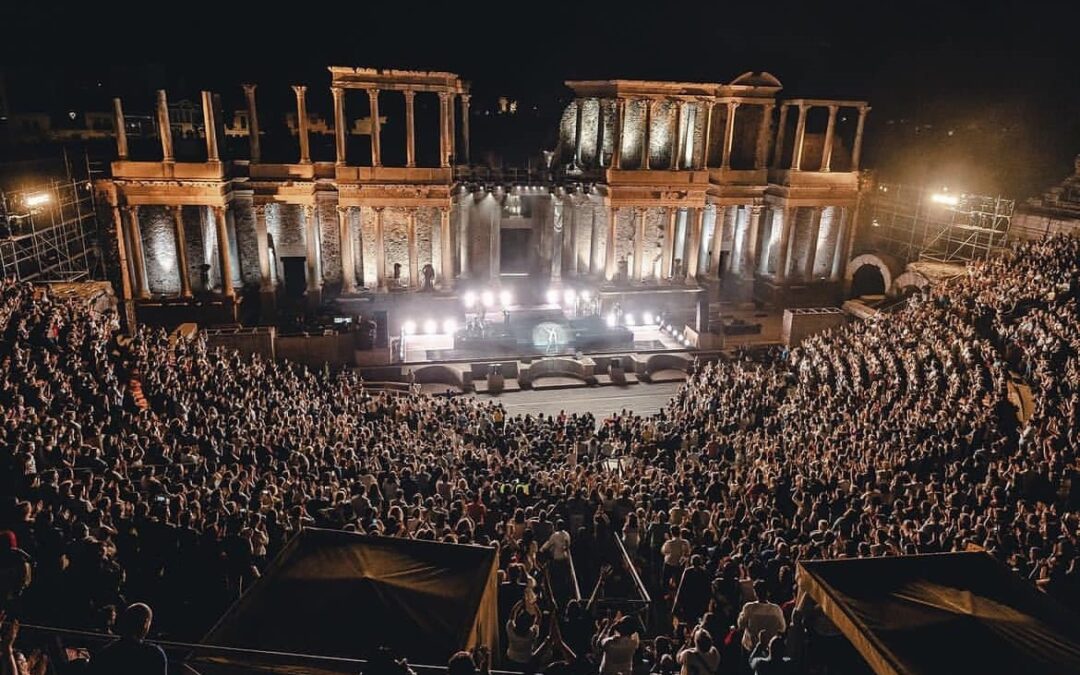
(47, 233)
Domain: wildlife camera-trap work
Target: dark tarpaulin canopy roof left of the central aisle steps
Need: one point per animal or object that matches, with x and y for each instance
(341, 595)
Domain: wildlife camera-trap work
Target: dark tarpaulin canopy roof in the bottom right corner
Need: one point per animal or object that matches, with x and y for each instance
(954, 613)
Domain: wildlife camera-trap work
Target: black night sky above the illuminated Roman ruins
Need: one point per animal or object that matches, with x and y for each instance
(1005, 78)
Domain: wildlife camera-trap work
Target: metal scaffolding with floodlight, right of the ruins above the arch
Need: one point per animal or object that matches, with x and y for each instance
(917, 224)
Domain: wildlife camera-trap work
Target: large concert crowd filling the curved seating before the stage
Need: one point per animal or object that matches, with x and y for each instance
(890, 437)
